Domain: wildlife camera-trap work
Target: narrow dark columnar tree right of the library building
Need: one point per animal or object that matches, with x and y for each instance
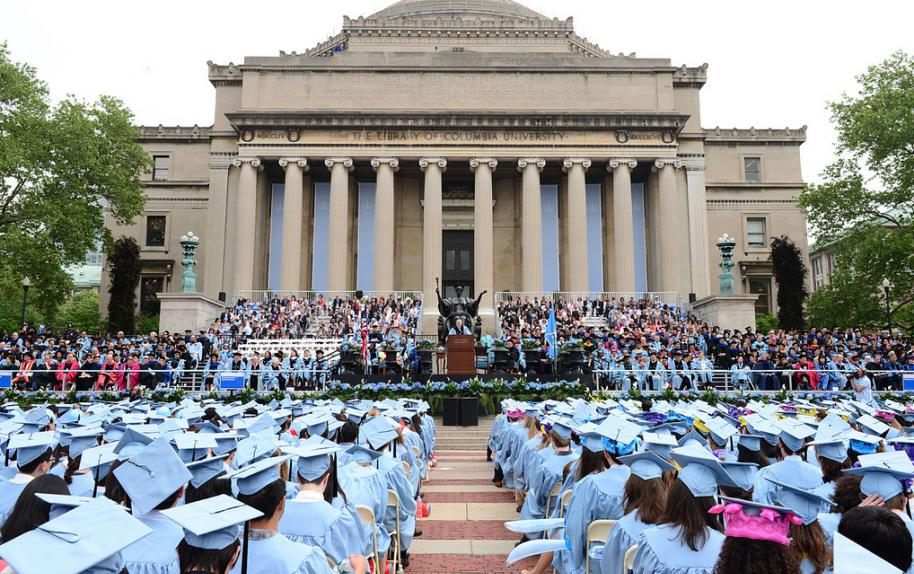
(790, 275)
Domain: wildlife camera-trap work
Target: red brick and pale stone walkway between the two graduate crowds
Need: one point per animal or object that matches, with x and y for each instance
(465, 533)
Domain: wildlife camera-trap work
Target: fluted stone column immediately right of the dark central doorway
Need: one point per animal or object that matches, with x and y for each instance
(483, 254)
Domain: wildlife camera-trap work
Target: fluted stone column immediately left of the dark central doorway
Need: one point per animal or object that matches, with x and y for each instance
(431, 240)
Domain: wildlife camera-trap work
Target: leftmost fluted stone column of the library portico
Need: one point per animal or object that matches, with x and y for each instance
(245, 223)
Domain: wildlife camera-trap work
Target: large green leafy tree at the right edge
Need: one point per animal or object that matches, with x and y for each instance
(864, 208)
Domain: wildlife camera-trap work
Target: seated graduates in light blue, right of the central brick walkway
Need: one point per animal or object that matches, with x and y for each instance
(690, 488)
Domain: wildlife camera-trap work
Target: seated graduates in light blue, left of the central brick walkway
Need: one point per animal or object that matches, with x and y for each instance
(144, 488)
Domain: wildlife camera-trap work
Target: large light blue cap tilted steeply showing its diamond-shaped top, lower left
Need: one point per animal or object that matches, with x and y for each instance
(152, 475)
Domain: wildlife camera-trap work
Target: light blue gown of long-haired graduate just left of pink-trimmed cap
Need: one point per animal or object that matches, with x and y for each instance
(661, 550)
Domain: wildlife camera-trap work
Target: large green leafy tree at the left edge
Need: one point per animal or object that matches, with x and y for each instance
(61, 167)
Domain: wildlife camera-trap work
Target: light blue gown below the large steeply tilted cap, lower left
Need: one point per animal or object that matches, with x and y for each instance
(156, 553)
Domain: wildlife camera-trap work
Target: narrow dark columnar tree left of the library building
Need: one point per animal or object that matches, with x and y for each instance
(124, 268)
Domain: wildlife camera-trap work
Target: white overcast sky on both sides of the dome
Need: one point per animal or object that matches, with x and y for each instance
(772, 64)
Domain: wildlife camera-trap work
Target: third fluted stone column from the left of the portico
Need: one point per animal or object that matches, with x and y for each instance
(339, 254)
